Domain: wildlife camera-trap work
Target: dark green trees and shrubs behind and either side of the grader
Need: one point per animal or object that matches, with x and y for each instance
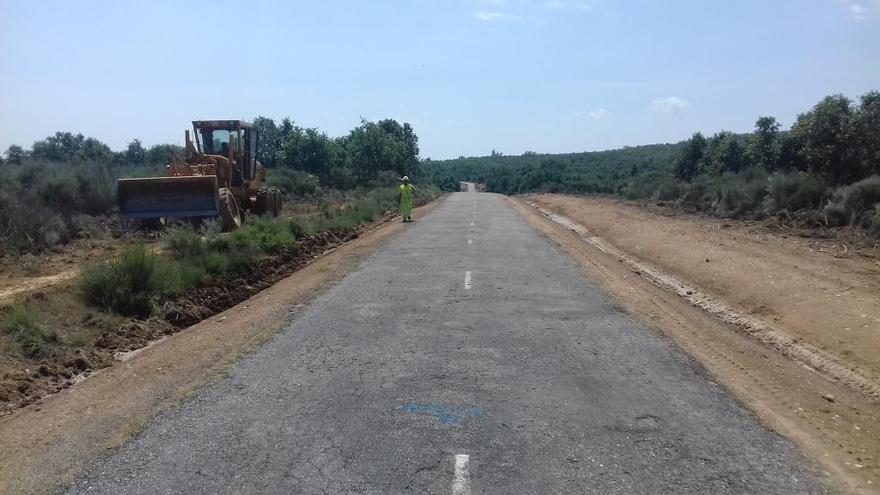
(53, 192)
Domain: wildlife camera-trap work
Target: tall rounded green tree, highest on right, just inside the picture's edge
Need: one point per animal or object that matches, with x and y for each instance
(826, 140)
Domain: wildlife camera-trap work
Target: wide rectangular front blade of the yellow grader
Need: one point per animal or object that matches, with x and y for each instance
(167, 197)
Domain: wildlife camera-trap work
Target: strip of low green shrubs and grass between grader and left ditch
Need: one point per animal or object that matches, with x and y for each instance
(136, 281)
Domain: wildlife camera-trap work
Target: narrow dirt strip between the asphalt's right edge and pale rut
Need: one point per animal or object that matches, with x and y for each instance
(775, 391)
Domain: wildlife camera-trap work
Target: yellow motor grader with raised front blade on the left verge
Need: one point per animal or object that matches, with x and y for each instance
(219, 177)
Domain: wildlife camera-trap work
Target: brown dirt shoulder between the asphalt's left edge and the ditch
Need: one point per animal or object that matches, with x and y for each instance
(47, 443)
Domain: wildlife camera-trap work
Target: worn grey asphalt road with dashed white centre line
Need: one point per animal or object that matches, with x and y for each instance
(469, 356)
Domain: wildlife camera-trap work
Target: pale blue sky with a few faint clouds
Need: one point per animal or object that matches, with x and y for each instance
(471, 76)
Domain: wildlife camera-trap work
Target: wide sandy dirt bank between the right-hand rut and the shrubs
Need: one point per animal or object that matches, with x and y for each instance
(788, 282)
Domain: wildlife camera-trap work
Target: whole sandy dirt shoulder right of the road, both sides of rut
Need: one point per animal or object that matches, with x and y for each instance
(832, 423)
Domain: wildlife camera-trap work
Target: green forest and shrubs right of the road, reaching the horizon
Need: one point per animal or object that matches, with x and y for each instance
(825, 169)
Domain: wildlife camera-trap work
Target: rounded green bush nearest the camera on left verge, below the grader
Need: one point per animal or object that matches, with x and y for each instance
(132, 282)
